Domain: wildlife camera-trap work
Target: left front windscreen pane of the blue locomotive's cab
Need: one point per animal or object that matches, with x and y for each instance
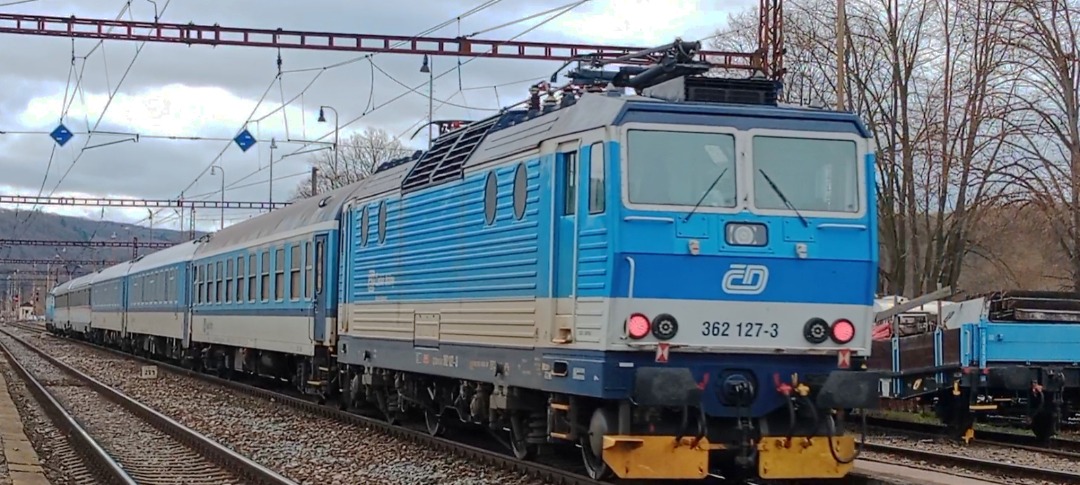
(681, 169)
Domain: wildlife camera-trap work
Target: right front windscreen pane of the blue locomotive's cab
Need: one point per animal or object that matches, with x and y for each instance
(817, 176)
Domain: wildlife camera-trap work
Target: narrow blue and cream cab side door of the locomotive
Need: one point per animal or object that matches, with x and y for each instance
(565, 255)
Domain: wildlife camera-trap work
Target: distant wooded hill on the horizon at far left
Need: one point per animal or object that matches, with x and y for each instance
(45, 226)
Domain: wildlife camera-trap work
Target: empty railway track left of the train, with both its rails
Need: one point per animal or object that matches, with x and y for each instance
(121, 440)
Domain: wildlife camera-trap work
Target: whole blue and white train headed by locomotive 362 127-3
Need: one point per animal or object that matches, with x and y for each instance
(673, 281)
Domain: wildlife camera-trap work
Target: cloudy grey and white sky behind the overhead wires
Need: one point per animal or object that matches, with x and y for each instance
(210, 93)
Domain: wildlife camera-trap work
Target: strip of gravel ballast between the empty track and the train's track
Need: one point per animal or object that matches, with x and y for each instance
(307, 449)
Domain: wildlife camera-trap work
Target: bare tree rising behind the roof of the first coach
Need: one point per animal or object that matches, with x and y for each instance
(358, 157)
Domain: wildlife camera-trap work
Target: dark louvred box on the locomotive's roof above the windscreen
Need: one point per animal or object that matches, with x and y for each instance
(718, 90)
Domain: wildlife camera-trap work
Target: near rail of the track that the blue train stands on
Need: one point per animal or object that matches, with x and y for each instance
(559, 474)
